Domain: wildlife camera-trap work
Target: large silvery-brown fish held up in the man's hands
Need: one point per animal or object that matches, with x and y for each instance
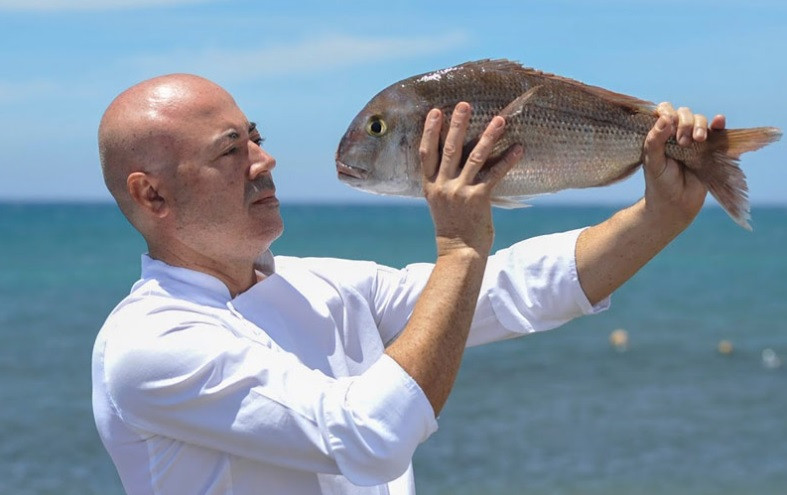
(575, 135)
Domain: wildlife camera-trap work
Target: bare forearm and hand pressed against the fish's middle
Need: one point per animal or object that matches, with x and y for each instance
(430, 347)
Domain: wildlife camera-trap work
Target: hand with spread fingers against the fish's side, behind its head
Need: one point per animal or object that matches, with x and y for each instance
(459, 200)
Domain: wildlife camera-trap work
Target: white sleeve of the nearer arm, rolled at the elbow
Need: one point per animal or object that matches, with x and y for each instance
(200, 384)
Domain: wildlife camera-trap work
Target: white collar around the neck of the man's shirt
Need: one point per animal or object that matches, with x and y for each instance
(194, 285)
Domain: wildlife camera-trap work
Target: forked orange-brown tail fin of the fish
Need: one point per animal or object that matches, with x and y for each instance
(721, 173)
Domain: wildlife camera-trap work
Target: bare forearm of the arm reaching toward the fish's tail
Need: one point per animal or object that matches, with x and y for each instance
(610, 253)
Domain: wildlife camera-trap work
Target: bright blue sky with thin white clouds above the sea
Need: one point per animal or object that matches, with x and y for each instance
(303, 69)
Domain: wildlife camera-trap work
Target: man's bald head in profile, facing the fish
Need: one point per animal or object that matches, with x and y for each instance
(186, 168)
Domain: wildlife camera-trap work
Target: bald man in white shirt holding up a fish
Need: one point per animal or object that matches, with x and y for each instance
(226, 371)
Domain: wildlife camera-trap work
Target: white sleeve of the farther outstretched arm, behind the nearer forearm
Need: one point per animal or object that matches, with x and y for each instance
(529, 287)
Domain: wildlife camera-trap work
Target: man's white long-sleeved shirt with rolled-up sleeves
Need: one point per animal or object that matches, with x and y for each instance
(285, 389)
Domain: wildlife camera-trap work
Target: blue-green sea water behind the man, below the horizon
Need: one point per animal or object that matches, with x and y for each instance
(561, 412)
